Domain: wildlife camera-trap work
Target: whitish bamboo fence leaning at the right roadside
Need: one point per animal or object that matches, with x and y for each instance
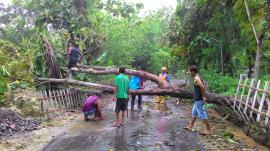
(252, 100)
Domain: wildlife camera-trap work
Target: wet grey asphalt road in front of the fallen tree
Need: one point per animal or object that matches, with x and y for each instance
(156, 128)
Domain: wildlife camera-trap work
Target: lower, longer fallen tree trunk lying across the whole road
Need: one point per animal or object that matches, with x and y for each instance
(174, 92)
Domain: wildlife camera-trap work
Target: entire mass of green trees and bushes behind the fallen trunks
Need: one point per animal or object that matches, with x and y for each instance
(216, 35)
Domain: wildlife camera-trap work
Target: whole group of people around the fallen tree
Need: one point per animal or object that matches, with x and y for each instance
(93, 105)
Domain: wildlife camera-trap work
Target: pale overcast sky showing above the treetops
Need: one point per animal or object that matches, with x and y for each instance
(148, 4)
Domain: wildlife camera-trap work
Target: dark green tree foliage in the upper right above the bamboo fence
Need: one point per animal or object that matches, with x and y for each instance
(199, 29)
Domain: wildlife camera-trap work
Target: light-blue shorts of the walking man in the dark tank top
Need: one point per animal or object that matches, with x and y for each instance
(199, 110)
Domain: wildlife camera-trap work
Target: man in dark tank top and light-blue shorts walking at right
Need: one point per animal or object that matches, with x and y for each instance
(198, 110)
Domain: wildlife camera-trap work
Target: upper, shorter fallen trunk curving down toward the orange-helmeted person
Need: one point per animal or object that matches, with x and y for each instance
(105, 71)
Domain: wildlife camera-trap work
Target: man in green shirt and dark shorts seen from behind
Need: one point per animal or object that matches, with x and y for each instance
(121, 95)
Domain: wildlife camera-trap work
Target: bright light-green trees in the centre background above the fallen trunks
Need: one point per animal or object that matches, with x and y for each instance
(137, 41)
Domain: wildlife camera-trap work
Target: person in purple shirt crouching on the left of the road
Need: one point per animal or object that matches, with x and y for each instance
(92, 105)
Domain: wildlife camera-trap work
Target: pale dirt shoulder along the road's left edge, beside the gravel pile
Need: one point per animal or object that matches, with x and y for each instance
(37, 139)
